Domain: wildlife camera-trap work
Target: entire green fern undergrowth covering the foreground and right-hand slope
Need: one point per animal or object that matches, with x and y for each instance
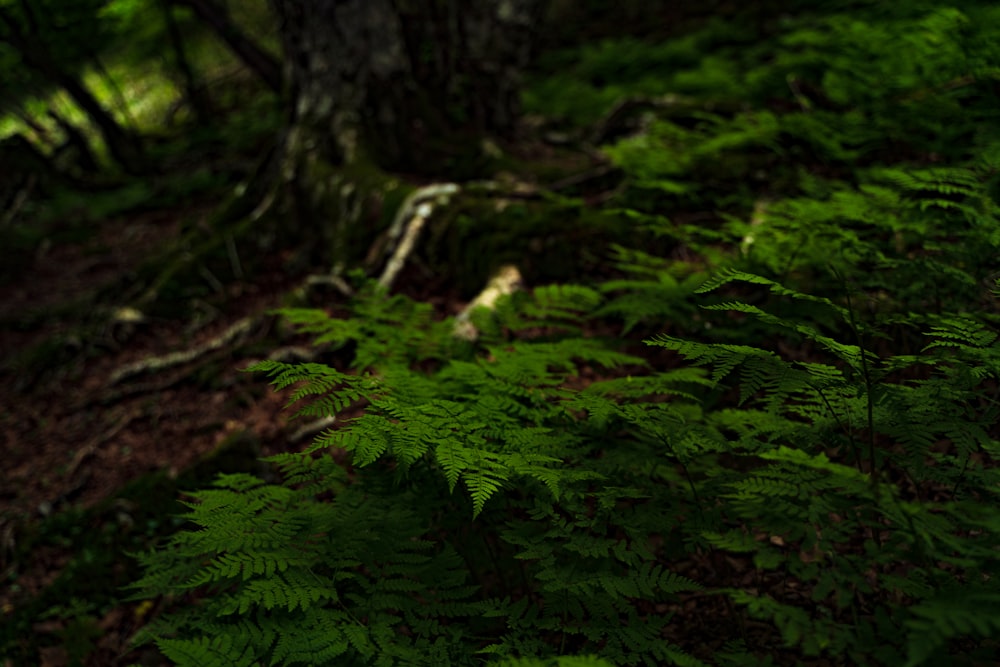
(798, 465)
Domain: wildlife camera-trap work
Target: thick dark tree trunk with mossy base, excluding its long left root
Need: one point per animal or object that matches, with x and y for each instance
(380, 86)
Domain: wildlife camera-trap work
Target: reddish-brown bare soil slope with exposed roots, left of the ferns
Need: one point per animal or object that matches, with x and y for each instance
(72, 434)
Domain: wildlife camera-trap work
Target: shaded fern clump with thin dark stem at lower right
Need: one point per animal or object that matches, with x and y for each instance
(890, 421)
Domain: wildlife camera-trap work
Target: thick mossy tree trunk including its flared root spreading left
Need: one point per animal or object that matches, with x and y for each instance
(380, 96)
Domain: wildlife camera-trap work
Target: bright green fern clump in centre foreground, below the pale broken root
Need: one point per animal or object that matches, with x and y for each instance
(453, 538)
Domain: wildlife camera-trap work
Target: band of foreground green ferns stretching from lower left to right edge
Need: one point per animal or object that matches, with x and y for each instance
(580, 500)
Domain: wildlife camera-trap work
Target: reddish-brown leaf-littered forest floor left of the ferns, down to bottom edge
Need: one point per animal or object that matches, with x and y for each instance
(75, 436)
